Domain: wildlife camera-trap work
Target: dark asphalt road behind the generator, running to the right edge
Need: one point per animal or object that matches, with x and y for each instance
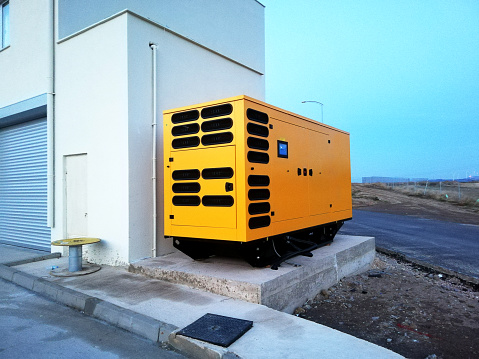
(451, 245)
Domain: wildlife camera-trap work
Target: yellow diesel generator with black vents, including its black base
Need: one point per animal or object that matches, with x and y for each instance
(246, 178)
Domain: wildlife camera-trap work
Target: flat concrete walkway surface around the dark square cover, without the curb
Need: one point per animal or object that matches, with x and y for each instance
(274, 334)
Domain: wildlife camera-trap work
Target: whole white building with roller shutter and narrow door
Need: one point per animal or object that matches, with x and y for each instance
(77, 84)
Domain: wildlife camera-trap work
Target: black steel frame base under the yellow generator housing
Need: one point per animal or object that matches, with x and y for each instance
(269, 251)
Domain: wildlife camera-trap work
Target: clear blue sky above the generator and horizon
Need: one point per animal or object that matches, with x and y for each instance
(402, 77)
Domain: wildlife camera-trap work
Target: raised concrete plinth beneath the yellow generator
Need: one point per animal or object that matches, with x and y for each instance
(296, 281)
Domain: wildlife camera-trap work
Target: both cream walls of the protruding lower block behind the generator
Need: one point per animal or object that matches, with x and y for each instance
(104, 109)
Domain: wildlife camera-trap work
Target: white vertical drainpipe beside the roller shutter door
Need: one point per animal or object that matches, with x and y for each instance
(51, 117)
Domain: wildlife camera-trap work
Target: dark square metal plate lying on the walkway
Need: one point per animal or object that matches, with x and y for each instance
(217, 329)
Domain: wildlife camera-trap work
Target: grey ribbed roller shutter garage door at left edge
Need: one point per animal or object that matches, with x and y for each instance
(23, 185)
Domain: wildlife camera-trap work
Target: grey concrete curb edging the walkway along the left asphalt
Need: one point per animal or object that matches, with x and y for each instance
(139, 324)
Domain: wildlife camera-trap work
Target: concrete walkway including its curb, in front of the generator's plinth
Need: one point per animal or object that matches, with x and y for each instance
(157, 310)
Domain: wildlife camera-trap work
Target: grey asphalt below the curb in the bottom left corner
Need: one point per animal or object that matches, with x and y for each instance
(34, 327)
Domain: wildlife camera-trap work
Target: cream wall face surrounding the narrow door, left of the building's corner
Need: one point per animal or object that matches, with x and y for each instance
(92, 119)
